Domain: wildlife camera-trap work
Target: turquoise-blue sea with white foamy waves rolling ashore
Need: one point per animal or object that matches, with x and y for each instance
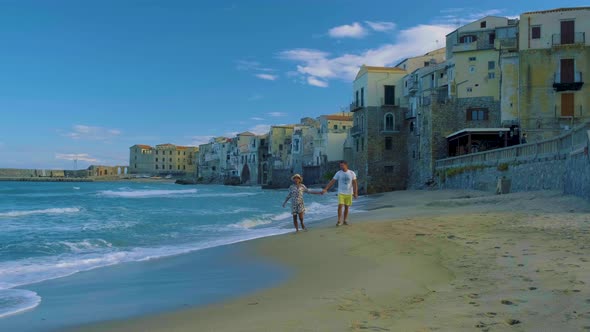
(54, 230)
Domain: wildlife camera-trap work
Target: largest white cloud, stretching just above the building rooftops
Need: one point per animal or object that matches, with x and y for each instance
(316, 66)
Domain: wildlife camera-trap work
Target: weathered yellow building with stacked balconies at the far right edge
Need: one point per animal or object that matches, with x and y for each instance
(554, 61)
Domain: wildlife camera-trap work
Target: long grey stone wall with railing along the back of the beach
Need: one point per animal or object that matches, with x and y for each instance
(561, 164)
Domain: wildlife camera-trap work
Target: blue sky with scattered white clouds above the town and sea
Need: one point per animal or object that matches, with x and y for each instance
(88, 79)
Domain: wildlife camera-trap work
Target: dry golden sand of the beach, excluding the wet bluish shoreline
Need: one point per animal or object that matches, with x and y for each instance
(418, 261)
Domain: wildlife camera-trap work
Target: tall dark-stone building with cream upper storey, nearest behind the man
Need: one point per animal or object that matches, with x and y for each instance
(378, 135)
